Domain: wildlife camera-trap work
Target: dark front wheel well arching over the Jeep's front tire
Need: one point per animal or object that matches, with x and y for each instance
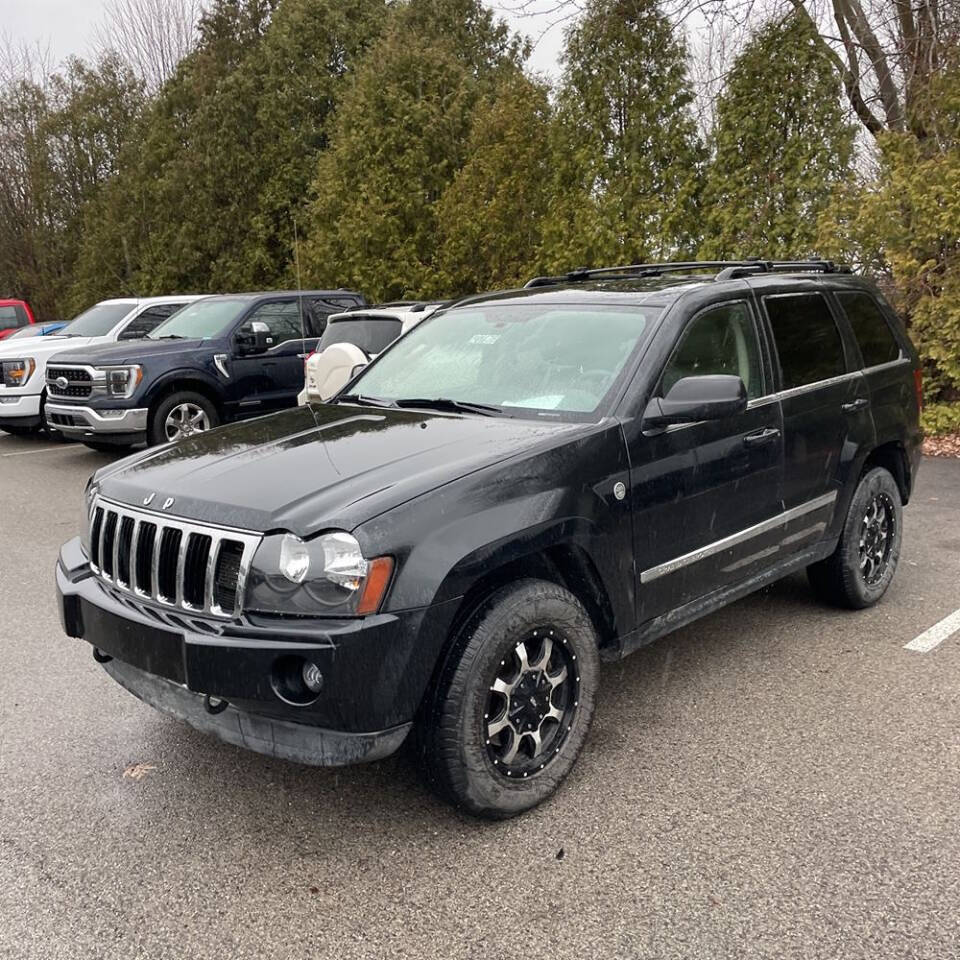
(567, 566)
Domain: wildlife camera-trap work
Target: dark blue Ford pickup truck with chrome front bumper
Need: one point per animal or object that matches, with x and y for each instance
(218, 359)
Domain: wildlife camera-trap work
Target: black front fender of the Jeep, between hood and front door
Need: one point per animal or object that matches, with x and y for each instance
(448, 540)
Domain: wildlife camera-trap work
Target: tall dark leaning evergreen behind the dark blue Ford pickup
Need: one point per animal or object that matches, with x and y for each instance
(208, 195)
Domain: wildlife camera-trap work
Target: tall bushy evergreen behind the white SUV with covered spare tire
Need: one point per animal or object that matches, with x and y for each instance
(400, 136)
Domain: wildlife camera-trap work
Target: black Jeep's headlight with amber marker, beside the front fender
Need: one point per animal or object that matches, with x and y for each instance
(326, 575)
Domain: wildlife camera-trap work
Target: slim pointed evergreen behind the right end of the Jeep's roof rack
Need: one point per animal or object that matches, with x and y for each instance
(782, 143)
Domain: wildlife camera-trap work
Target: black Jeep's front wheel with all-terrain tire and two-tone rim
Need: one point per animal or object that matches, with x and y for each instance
(454, 743)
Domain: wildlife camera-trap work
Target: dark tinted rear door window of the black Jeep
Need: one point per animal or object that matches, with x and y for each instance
(807, 339)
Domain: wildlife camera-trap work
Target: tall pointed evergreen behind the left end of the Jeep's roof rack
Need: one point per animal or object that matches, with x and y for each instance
(625, 145)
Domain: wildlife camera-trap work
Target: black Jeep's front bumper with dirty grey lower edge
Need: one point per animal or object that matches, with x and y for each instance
(375, 669)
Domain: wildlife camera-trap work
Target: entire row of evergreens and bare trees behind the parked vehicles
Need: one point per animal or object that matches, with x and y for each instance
(412, 151)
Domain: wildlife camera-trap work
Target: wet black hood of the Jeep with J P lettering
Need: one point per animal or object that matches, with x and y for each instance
(319, 467)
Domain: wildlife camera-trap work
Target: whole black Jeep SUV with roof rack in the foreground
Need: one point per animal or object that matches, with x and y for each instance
(526, 483)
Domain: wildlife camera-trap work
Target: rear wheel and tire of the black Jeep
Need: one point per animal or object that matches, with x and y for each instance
(855, 577)
